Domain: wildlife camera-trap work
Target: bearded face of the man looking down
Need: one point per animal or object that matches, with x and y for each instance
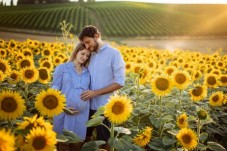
(90, 43)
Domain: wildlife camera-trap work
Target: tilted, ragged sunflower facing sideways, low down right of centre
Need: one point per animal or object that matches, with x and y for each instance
(144, 137)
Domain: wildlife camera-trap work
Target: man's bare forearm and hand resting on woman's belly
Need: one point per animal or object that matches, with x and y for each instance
(86, 95)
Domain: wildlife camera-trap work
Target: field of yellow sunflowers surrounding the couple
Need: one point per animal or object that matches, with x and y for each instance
(171, 100)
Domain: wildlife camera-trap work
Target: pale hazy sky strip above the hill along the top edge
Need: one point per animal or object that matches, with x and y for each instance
(159, 1)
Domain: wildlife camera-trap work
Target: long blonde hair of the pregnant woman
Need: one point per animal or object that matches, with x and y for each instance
(77, 48)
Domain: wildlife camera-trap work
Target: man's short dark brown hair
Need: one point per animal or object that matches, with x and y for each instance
(88, 31)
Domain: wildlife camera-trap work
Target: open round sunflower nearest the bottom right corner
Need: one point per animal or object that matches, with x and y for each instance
(187, 138)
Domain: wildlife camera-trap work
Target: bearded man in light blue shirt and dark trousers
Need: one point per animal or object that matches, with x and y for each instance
(107, 70)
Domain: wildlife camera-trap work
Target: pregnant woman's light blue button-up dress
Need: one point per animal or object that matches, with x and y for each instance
(72, 84)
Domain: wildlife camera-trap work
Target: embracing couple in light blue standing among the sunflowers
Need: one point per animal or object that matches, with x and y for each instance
(92, 74)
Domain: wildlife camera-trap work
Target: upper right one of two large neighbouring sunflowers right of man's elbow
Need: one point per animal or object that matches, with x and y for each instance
(181, 79)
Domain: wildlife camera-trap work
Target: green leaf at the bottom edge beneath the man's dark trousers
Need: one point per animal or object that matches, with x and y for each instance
(92, 146)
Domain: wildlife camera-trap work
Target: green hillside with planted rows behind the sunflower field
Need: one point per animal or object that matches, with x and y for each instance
(121, 19)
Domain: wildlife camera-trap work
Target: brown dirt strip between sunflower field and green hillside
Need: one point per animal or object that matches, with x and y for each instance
(199, 44)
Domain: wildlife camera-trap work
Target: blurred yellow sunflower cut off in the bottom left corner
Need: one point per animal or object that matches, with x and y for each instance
(7, 141)
